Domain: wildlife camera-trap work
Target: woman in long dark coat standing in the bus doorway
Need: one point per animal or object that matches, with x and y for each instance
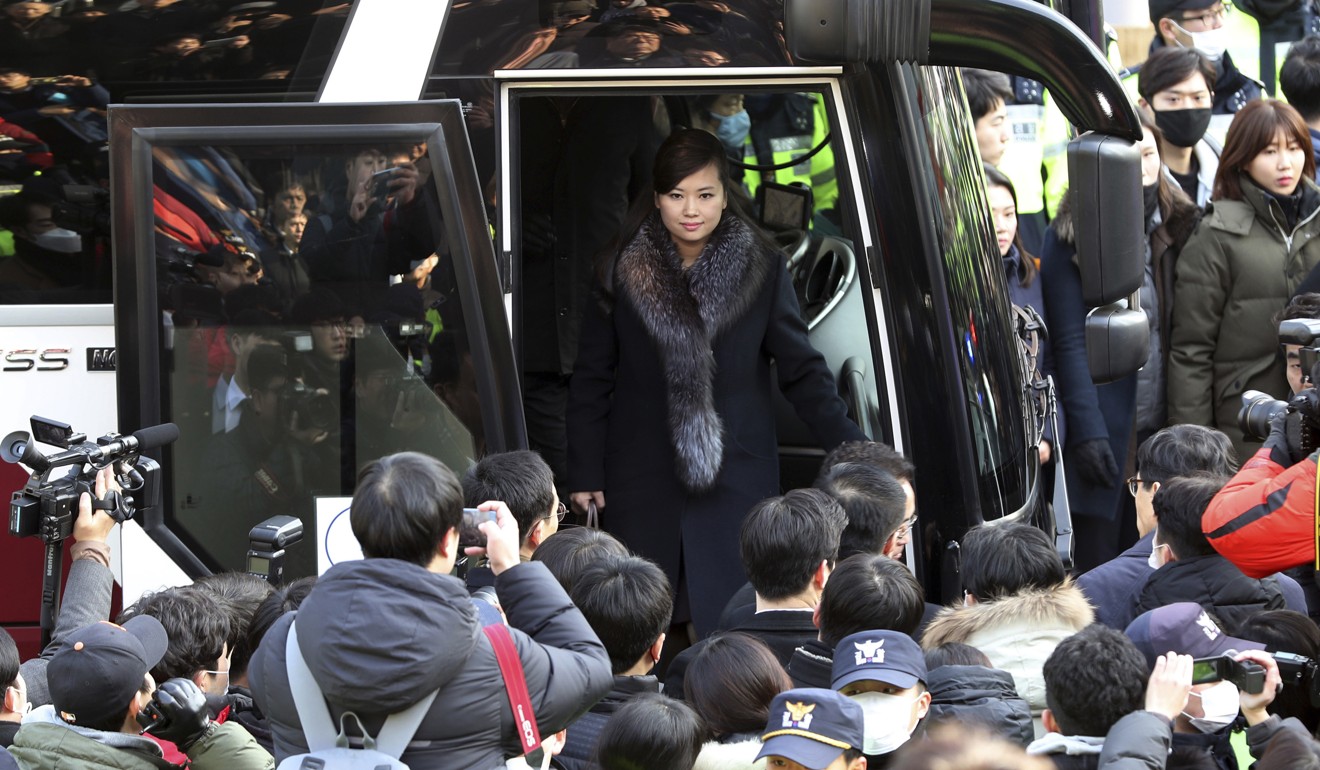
(670, 421)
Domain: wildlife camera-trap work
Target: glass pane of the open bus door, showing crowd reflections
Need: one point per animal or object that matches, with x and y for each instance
(311, 324)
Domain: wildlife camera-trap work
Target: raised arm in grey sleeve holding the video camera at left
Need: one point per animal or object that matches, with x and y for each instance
(88, 590)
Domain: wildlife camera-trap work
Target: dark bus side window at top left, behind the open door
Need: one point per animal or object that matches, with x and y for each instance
(63, 64)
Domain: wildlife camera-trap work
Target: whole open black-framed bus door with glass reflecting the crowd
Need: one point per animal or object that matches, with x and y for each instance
(382, 331)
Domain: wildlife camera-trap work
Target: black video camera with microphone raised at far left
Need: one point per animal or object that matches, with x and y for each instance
(47, 508)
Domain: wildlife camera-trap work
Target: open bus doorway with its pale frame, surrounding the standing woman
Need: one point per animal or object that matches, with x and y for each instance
(576, 154)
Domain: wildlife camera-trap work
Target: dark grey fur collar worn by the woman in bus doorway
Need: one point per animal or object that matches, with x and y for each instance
(684, 312)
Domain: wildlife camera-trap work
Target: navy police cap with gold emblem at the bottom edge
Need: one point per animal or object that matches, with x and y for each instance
(812, 727)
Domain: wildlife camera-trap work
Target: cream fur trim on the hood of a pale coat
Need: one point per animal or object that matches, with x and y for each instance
(1053, 608)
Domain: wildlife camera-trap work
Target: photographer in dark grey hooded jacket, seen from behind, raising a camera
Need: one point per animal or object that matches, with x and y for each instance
(382, 633)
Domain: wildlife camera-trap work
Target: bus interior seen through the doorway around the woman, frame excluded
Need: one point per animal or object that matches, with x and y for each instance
(584, 158)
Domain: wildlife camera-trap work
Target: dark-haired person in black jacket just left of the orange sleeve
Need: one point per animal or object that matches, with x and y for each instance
(1190, 570)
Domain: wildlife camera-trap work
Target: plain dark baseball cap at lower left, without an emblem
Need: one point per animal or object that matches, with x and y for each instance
(101, 666)
